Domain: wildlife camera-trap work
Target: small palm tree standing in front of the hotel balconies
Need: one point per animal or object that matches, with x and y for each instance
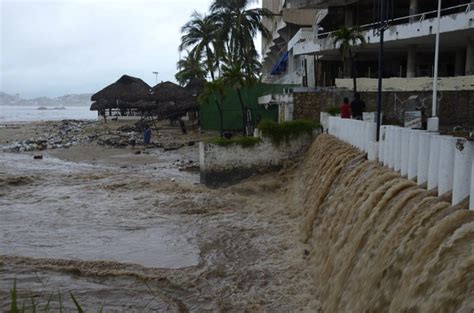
(347, 38)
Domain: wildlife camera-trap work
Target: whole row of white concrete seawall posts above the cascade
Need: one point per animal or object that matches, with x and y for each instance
(431, 160)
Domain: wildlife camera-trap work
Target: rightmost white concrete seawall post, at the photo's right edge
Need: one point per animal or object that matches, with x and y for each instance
(463, 157)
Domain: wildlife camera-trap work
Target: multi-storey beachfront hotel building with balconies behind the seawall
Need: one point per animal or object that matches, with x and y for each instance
(301, 52)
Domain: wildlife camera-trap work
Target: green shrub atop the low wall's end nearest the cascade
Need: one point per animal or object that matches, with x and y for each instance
(279, 132)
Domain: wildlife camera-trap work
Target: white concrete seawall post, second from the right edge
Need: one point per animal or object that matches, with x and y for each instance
(447, 147)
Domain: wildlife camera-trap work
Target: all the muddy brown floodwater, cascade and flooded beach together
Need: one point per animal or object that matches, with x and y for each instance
(130, 232)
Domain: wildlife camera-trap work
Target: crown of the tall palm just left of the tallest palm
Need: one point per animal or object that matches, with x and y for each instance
(201, 34)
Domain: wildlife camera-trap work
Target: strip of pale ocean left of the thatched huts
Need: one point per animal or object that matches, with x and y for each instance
(12, 113)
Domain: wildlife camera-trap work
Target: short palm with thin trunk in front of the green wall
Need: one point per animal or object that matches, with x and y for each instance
(235, 74)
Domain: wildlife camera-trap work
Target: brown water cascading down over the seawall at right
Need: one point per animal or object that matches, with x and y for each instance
(379, 242)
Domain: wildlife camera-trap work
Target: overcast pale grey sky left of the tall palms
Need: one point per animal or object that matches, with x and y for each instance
(56, 47)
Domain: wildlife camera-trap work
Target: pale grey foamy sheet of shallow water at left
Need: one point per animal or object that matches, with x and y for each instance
(65, 210)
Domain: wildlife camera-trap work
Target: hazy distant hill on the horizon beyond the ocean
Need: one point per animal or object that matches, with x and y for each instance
(63, 101)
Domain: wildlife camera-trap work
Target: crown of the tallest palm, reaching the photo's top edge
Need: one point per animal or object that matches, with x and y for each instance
(239, 26)
